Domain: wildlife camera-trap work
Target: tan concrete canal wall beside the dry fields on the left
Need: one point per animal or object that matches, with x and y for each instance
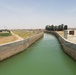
(10, 49)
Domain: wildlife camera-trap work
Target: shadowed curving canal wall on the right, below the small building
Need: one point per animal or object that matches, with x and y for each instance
(68, 47)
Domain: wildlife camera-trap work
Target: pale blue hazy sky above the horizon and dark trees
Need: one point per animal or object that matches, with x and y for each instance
(37, 13)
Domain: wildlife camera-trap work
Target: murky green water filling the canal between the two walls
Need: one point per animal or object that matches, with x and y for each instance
(45, 57)
